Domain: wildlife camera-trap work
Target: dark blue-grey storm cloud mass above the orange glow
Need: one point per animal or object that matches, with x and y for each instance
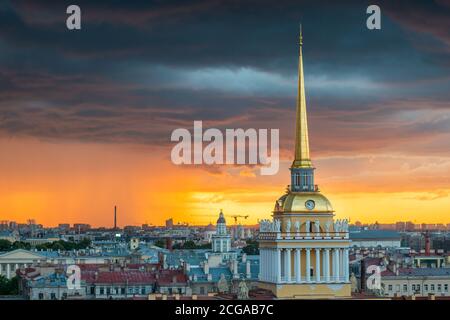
(139, 69)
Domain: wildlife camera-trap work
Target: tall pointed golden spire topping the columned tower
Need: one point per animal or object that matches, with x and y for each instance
(302, 159)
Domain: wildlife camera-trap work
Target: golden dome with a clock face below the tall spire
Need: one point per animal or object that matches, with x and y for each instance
(303, 202)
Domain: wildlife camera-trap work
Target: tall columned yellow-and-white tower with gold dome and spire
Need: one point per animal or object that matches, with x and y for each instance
(303, 251)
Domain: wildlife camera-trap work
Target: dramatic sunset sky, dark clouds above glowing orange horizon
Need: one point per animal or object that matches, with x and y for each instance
(86, 116)
